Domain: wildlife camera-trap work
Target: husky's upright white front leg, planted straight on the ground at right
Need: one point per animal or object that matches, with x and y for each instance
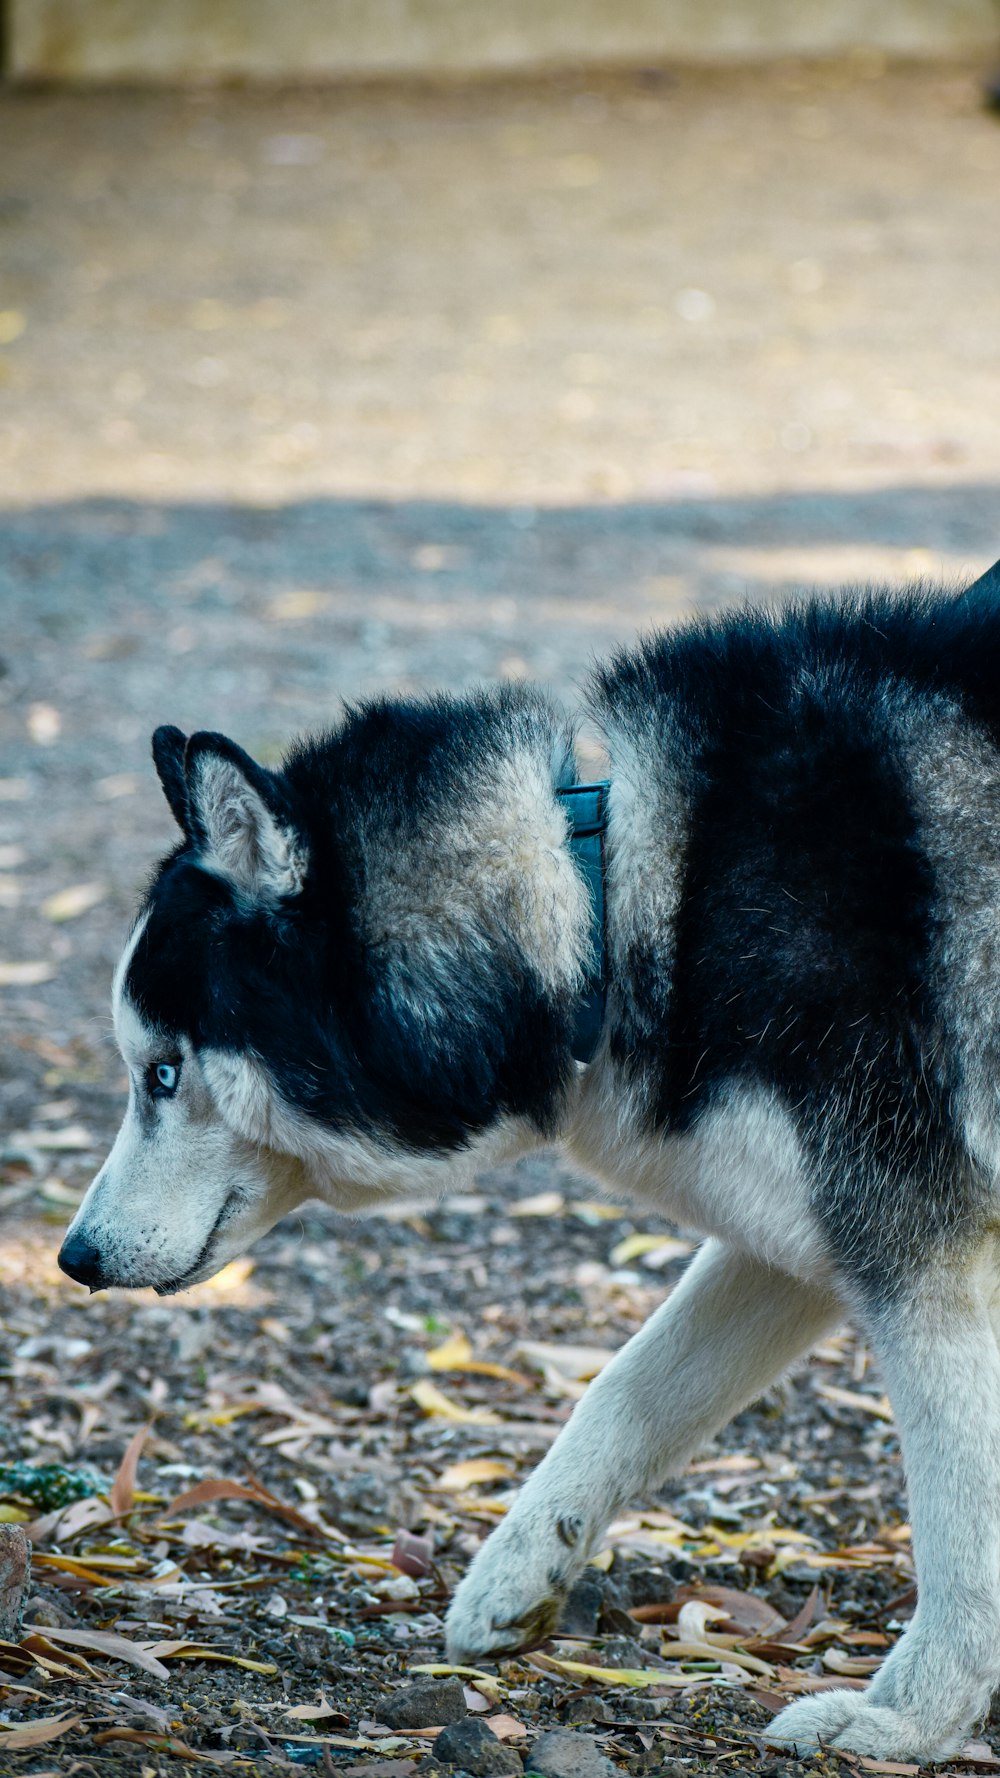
(942, 1368)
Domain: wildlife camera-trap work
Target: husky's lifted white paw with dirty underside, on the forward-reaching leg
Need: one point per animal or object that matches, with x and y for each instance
(510, 1599)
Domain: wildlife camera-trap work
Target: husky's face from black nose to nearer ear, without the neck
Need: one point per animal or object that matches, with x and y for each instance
(193, 1176)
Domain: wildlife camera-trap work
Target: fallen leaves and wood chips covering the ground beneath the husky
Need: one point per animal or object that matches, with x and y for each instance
(250, 1509)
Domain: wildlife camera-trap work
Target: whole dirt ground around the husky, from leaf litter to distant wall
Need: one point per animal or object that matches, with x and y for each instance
(307, 396)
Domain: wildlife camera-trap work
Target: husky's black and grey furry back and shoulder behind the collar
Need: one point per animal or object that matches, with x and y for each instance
(805, 899)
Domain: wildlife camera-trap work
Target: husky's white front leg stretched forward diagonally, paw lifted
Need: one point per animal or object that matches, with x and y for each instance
(729, 1329)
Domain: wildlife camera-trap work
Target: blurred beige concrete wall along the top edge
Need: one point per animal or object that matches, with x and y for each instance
(273, 40)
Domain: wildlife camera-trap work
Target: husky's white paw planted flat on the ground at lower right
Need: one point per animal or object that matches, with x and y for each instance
(846, 1720)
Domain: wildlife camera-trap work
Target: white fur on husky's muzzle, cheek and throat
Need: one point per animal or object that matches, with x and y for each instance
(195, 1180)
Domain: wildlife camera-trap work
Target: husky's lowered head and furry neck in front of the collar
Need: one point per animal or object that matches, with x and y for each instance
(309, 1005)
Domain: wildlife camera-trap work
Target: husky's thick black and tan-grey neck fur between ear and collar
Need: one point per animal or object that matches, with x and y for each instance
(474, 915)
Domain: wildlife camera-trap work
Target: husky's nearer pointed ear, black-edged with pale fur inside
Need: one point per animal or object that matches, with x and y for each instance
(241, 822)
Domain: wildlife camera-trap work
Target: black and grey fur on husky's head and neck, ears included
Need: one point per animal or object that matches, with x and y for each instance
(376, 1000)
